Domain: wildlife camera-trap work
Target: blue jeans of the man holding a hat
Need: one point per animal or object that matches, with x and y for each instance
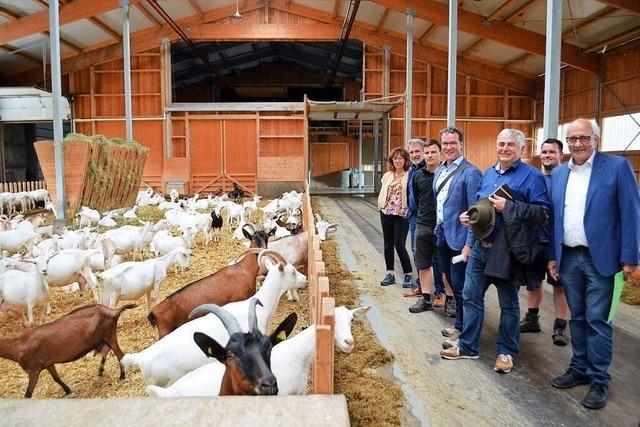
(475, 286)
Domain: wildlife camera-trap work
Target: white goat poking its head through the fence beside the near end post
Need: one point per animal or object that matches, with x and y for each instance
(290, 362)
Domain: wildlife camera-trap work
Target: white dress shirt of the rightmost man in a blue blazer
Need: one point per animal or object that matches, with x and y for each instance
(575, 200)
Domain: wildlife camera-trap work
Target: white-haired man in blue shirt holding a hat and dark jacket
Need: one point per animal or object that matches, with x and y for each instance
(525, 184)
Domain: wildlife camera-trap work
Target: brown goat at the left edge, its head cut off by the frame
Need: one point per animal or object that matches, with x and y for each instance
(88, 328)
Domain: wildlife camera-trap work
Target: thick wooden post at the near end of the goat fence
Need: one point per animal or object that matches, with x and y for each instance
(323, 365)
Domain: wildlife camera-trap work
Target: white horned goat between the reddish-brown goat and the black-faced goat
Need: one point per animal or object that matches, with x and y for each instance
(175, 354)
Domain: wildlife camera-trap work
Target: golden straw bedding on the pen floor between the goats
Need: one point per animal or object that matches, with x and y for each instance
(134, 331)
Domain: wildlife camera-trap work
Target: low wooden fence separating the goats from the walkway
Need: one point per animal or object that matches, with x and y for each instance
(321, 306)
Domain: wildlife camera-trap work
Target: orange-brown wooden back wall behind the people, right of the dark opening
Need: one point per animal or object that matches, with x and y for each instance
(483, 109)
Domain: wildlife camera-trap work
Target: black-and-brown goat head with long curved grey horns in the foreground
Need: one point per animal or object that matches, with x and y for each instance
(247, 355)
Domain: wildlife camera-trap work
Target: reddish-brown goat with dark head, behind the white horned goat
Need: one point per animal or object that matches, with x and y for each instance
(174, 310)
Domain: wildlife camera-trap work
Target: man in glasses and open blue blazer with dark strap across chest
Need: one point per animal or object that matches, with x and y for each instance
(455, 185)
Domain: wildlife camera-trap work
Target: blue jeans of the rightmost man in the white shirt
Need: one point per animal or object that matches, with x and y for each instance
(589, 296)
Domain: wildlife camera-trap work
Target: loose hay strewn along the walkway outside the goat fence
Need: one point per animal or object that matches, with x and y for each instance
(372, 398)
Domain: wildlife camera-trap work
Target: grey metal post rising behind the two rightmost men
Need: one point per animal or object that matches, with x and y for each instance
(552, 66)
